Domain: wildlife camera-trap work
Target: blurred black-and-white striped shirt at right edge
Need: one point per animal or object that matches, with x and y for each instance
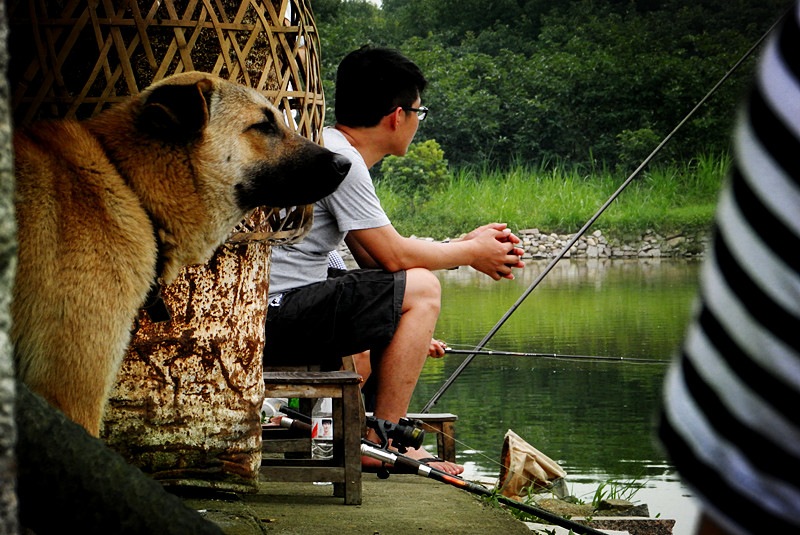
(731, 416)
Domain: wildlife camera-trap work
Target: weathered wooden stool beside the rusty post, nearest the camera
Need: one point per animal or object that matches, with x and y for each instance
(344, 469)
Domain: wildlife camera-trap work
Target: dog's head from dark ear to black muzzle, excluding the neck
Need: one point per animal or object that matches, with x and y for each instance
(240, 141)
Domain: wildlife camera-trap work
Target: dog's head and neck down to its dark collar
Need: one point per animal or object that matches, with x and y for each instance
(201, 152)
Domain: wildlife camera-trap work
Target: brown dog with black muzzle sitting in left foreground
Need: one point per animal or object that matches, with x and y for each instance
(109, 206)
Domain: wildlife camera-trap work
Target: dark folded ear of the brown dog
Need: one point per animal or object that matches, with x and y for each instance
(176, 112)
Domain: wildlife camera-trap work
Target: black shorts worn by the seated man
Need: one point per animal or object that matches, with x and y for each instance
(350, 312)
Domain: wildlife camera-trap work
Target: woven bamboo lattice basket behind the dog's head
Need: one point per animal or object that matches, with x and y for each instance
(74, 58)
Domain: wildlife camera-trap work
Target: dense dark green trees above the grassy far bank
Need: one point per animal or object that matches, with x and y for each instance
(580, 81)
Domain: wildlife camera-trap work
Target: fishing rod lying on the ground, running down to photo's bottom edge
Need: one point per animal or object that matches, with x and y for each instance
(407, 465)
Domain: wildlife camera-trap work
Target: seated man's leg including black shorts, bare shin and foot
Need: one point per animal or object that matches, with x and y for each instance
(360, 309)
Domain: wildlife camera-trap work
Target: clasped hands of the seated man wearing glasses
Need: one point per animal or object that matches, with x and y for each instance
(496, 253)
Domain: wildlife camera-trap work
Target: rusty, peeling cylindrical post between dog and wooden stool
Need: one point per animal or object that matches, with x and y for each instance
(186, 407)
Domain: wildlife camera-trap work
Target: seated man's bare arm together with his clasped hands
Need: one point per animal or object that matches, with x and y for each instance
(489, 249)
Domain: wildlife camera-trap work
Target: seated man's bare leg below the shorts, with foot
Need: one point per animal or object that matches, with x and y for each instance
(398, 367)
